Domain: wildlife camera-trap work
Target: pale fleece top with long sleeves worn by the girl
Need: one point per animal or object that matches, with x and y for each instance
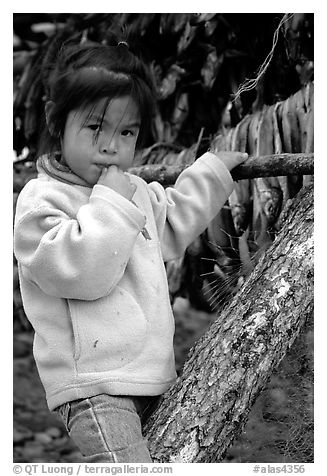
(94, 288)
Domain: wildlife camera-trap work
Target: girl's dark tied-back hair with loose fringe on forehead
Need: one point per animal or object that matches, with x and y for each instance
(85, 73)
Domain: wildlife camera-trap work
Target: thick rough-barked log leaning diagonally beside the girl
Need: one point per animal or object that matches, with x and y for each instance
(199, 417)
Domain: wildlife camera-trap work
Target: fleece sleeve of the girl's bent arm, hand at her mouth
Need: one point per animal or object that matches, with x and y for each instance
(81, 257)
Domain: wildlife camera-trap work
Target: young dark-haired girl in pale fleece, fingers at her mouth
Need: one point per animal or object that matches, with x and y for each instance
(91, 241)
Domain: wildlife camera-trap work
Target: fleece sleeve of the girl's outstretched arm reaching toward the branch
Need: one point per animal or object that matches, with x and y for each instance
(184, 211)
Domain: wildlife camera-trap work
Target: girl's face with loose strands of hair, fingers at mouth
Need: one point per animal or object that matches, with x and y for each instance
(90, 143)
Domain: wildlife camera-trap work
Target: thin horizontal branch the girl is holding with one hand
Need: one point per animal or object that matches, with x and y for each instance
(265, 166)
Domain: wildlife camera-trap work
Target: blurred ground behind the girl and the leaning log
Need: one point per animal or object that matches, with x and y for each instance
(279, 428)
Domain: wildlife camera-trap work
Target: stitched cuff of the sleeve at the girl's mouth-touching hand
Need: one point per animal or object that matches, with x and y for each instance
(120, 203)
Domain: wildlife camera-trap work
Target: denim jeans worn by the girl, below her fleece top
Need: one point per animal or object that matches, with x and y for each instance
(107, 429)
